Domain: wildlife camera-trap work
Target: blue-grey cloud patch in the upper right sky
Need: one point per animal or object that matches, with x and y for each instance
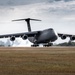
(61, 8)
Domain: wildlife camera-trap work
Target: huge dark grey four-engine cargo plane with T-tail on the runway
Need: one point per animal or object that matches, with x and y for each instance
(45, 37)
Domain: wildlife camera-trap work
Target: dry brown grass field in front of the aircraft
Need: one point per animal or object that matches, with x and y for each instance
(37, 61)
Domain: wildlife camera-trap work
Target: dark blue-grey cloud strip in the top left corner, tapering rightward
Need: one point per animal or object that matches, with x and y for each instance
(18, 2)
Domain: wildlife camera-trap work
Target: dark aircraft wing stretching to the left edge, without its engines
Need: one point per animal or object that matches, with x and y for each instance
(28, 34)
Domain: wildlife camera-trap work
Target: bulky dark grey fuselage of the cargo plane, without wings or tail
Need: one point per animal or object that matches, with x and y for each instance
(44, 36)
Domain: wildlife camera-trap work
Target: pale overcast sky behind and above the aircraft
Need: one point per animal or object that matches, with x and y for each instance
(56, 14)
